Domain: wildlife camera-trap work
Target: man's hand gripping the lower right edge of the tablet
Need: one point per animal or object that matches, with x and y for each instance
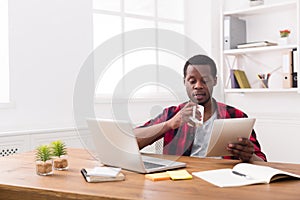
(242, 149)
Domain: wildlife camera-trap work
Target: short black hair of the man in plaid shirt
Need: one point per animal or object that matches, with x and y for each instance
(201, 60)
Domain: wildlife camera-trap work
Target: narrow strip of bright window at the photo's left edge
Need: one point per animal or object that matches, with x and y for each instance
(4, 61)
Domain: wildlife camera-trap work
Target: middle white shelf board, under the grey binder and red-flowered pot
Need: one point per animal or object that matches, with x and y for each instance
(259, 49)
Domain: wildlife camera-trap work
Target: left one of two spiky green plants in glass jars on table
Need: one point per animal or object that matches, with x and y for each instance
(44, 164)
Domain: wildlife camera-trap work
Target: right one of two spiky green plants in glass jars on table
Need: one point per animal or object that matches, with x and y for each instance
(59, 152)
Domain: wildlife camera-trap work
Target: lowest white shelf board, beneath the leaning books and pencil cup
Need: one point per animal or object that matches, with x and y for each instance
(262, 90)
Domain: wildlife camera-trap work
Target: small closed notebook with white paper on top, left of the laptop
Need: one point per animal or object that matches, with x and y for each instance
(102, 174)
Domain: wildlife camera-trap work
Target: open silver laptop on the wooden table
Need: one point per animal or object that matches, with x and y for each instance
(116, 145)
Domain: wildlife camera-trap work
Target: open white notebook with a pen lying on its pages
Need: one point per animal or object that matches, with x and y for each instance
(243, 174)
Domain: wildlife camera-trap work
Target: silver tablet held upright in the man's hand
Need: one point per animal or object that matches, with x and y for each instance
(225, 131)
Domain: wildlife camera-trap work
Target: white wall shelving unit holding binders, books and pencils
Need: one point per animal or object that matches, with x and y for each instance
(261, 26)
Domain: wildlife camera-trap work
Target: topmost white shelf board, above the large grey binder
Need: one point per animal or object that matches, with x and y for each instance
(263, 9)
